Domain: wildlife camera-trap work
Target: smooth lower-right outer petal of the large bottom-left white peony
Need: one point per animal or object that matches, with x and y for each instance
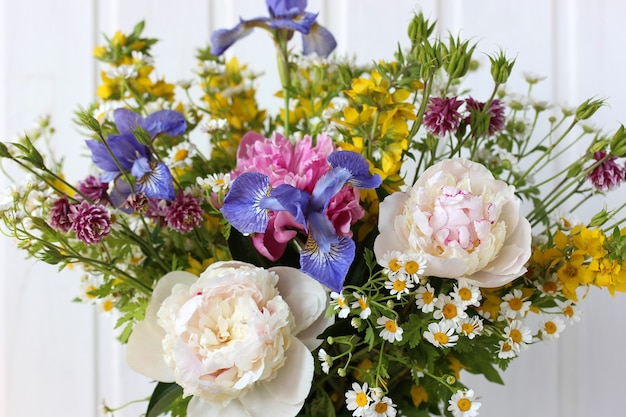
(285, 394)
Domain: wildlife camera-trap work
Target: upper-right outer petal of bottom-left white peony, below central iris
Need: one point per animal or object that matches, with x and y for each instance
(306, 297)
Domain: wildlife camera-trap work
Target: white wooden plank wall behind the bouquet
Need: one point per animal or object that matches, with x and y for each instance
(59, 358)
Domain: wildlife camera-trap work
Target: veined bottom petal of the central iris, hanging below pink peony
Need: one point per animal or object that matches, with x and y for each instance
(328, 267)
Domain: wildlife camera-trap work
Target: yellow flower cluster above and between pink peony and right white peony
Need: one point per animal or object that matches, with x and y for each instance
(377, 122)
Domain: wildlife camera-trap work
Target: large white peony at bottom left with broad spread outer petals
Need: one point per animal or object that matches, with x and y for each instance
(238, 339)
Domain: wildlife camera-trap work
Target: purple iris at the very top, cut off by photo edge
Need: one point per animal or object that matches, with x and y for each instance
(284, 14)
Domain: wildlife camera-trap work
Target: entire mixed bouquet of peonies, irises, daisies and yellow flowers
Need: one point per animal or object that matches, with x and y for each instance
(349, 255)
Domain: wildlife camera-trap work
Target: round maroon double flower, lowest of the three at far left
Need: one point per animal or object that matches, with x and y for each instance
(90, 222)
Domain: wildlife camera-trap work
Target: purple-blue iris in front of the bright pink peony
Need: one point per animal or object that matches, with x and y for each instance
(326, 256)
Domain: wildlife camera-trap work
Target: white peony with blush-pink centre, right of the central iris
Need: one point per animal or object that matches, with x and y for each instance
(462, 220)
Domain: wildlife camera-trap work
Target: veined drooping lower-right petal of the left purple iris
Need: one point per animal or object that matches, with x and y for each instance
(154, 179)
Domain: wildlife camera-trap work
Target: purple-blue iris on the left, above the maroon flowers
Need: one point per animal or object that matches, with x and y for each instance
(123, 153)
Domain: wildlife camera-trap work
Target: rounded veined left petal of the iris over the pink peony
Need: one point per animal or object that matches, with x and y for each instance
(242, 205)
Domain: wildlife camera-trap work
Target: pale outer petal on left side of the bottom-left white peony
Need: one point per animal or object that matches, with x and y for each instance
(144, 352)
